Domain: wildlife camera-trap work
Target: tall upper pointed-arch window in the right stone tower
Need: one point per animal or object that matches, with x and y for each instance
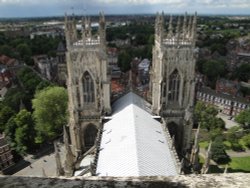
(174, 87)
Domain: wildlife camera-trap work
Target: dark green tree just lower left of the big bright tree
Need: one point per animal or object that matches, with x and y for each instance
(25, 132)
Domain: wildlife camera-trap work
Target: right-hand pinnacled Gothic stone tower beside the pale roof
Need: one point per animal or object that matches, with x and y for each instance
(172, 77)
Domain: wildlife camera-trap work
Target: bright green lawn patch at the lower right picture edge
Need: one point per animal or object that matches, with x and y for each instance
(239, 164)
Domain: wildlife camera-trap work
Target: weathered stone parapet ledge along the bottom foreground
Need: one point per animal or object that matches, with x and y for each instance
(198, 181)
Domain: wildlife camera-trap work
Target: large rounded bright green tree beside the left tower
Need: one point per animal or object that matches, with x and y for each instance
(50, 106)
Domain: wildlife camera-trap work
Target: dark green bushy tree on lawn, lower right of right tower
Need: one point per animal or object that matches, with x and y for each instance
(219, 154)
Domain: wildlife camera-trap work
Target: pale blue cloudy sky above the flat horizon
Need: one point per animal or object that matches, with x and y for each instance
(27, 8)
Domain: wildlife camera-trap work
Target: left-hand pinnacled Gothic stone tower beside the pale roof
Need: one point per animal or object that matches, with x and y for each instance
(88, 83)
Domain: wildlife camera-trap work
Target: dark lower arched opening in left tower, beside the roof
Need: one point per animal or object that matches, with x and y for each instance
(90, 136)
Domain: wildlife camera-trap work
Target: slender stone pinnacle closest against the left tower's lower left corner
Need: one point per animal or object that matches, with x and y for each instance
(69, 161)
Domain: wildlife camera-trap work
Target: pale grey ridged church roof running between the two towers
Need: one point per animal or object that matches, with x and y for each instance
(133, 143)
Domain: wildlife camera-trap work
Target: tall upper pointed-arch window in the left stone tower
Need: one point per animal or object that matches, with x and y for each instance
(88, 88)
